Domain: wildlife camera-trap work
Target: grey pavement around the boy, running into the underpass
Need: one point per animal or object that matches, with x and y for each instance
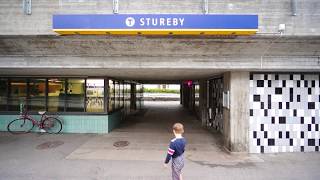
(141, 147)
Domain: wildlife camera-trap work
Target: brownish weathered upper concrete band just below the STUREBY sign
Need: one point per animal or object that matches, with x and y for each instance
(129, 46)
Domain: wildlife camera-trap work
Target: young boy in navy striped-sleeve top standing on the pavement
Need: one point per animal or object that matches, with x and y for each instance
(176, 150)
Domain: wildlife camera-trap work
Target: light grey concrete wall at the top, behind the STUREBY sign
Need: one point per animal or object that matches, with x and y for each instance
(271, 13)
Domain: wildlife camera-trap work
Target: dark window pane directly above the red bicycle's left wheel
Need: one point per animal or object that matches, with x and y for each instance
(18, 93)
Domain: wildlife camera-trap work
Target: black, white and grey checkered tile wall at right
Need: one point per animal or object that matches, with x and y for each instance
(284, 113)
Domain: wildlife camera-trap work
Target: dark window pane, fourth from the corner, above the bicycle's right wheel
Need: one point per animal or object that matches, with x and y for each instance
(37, 95)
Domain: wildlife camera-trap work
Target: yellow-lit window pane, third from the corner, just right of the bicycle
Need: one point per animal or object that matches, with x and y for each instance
(56, 95)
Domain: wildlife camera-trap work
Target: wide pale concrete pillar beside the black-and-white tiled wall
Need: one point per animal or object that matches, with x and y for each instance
(236, 118)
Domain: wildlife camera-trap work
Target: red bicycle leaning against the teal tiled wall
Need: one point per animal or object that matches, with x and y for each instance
(25, 123)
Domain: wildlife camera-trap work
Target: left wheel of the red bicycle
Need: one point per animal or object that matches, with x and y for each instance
(20, 125)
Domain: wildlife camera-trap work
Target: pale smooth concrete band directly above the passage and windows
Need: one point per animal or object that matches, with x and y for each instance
(267, 63)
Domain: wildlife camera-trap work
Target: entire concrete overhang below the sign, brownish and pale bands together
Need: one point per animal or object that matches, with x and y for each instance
(161, 58)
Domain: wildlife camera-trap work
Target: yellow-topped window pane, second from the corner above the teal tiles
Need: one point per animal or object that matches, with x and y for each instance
(75, 95)
